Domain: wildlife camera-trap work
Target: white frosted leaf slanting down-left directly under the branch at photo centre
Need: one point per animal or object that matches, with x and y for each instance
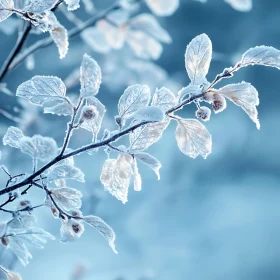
(143, 137)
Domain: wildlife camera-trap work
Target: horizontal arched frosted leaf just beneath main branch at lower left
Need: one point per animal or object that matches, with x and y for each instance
(66, 171)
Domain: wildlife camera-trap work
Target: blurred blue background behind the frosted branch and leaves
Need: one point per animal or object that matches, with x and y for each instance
(208, 219)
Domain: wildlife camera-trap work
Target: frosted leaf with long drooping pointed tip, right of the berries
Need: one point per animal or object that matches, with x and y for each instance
(245, 96)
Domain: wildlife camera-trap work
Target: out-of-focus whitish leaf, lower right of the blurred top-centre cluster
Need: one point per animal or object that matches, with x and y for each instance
(143, 45)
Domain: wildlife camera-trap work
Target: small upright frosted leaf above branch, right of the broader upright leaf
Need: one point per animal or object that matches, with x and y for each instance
(164, 99)
